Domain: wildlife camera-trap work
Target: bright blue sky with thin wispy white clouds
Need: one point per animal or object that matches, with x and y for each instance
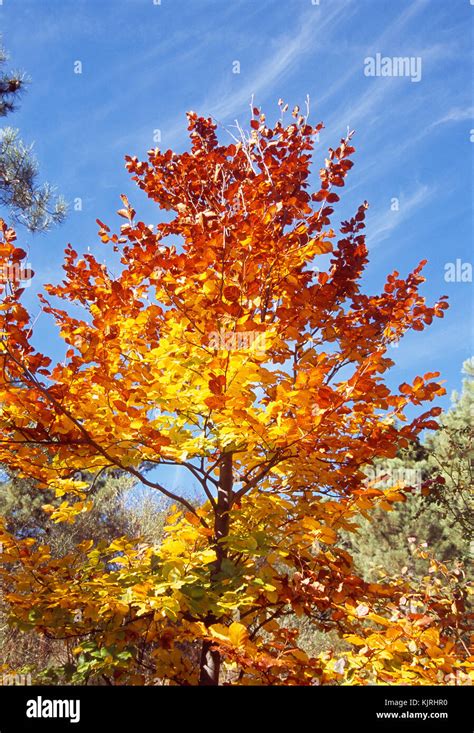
(145, 64)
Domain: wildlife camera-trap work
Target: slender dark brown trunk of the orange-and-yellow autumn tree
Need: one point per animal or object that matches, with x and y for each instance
(210, 659)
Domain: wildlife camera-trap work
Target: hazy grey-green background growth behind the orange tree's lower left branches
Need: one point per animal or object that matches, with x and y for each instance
(113, 514)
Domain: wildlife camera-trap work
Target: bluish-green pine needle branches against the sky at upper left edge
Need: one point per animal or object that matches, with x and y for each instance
(30, 203)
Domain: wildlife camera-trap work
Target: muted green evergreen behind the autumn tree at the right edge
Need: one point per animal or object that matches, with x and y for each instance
(440, 514)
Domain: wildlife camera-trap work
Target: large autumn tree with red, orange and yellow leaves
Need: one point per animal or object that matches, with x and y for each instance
(220, 348)
